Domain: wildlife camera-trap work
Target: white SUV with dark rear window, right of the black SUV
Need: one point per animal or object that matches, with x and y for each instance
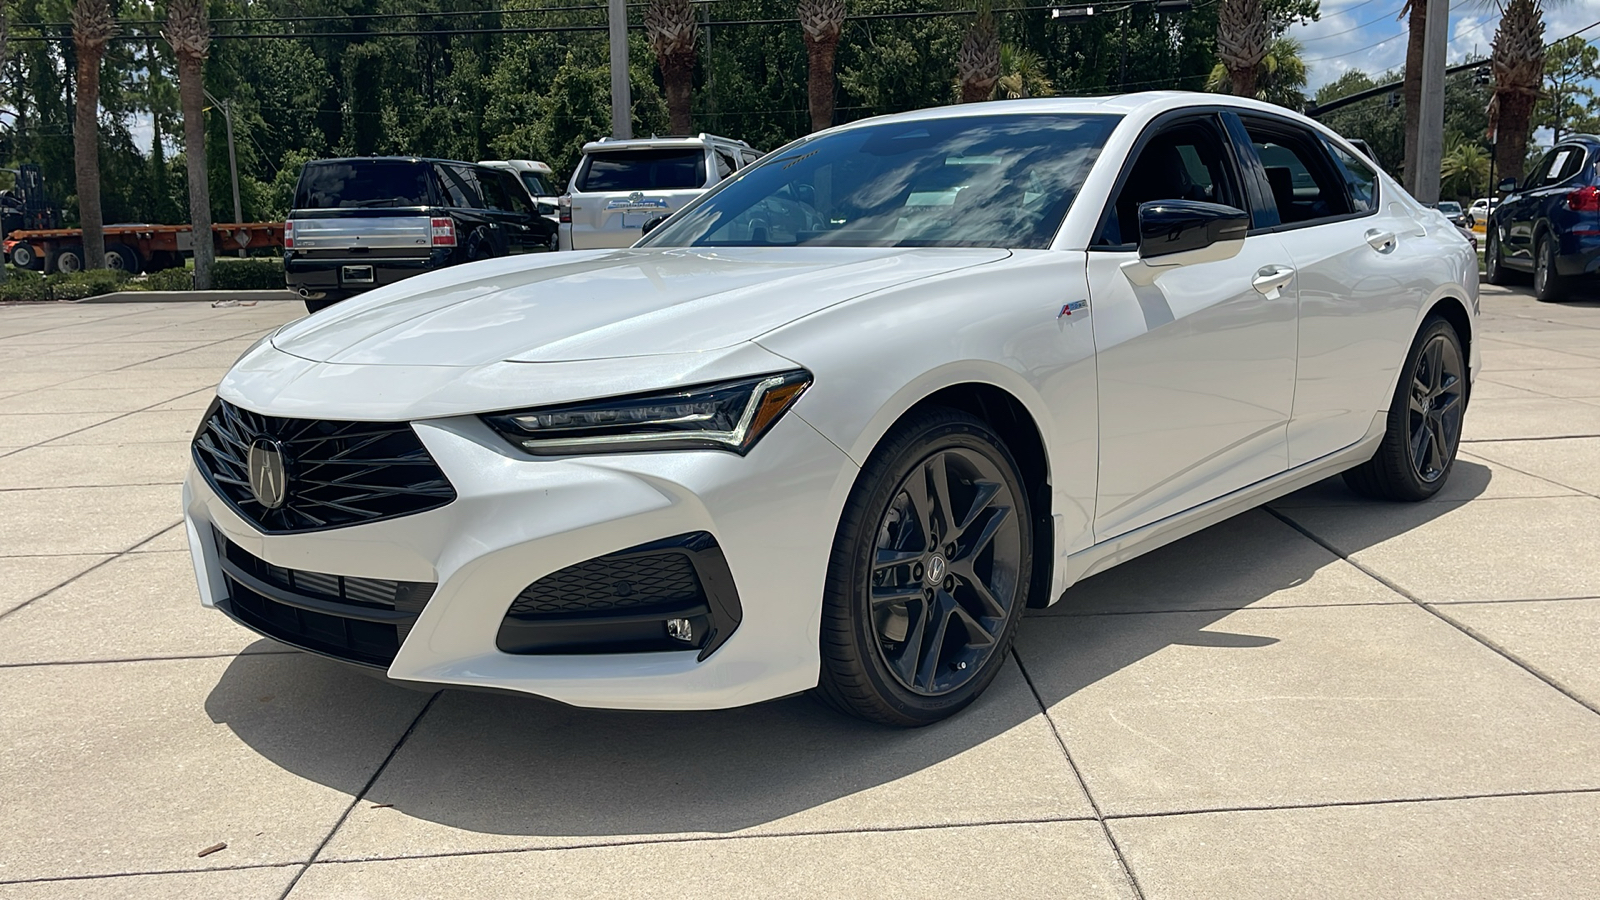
(622, 185)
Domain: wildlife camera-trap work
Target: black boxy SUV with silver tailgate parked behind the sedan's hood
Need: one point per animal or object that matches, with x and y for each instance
(361, 223)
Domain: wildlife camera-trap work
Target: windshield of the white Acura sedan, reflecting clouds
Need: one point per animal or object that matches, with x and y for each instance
(967, 182)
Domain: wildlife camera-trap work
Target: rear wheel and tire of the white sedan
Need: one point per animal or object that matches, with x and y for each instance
(1425, 422)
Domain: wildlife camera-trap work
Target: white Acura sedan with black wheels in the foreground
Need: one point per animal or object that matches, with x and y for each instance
(838, 424)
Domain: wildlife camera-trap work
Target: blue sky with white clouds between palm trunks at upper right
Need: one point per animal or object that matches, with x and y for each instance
(1369, 34)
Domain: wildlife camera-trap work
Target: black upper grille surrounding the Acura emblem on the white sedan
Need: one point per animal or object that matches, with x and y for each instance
(340, 473)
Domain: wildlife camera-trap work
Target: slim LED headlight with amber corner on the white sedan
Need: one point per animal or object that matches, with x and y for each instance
(727, 416)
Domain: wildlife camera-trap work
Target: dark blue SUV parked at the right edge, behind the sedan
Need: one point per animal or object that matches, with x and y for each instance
(1550, 225)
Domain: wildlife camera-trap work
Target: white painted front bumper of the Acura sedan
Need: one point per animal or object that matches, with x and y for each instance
(518, 520)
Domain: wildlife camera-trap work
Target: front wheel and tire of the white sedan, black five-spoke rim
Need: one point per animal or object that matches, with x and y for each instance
(929, 574)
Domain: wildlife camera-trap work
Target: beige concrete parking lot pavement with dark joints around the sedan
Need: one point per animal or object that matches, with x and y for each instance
(1327, 697)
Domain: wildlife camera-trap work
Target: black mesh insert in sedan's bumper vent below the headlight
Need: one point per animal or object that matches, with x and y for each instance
(612, 584)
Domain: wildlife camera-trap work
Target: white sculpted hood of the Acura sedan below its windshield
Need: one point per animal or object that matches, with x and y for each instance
(604, 305)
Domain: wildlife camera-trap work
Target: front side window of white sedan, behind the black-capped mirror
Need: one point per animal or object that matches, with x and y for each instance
(1183, 163)
